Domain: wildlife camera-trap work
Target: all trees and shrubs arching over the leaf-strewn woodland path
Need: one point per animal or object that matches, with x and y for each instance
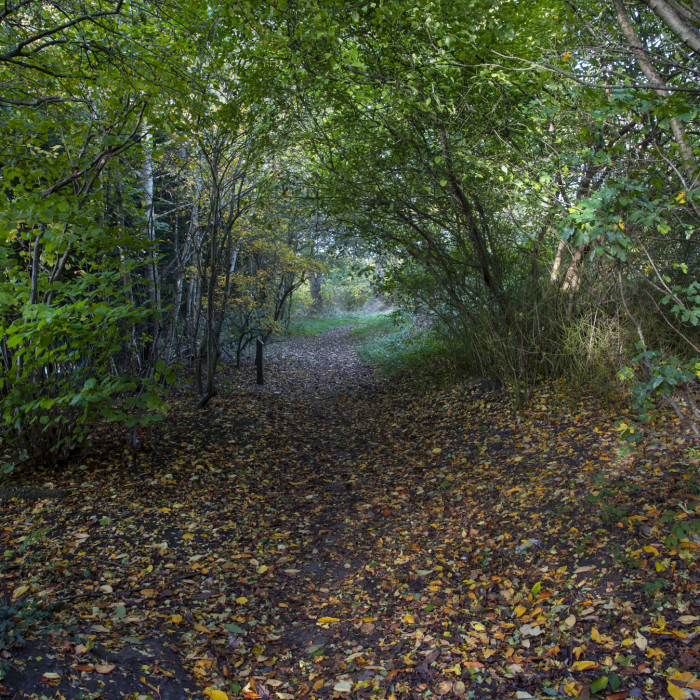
(525, 174)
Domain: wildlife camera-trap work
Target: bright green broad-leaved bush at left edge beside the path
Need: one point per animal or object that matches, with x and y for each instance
(62, 324)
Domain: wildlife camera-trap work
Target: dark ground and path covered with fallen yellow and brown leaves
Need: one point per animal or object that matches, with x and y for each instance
(336, 534)
